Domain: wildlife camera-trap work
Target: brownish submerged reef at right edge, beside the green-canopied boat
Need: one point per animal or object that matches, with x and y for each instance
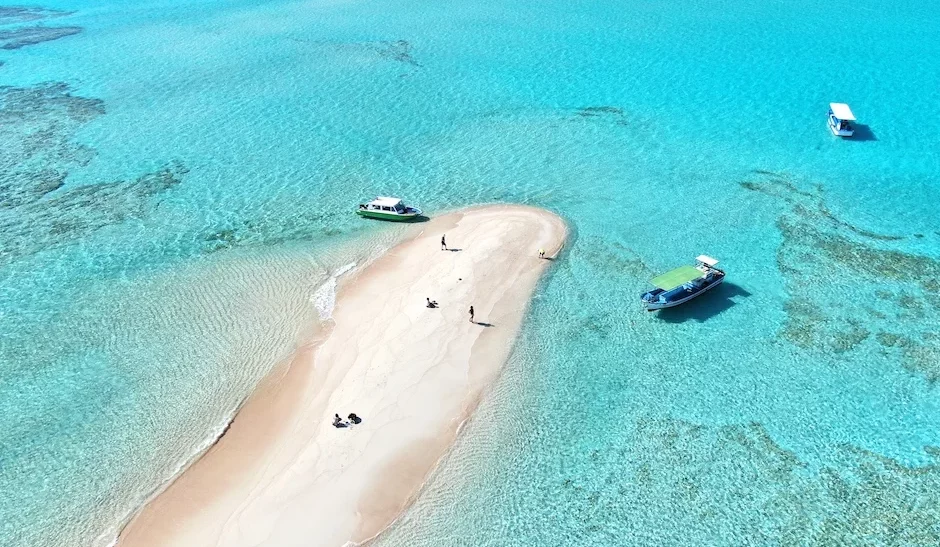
(819, 251)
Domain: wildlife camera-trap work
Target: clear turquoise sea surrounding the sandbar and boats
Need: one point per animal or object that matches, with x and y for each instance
(175, 181)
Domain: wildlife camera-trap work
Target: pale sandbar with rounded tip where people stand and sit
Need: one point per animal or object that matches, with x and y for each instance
(283, 475)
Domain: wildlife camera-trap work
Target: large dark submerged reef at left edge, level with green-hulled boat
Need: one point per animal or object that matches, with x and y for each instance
(37, 150)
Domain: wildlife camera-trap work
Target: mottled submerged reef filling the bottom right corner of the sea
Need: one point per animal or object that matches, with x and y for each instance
(735, 485)
